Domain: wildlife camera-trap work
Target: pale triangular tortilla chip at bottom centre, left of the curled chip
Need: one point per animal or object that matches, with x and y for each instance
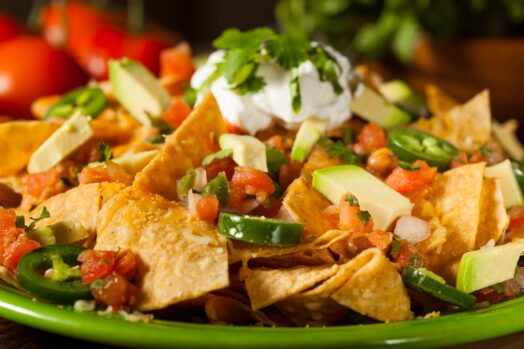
(268, 286)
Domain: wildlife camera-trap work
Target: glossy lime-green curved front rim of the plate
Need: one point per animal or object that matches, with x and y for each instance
(497, 320)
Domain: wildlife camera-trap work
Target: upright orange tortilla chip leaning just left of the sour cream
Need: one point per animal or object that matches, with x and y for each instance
(183, 150)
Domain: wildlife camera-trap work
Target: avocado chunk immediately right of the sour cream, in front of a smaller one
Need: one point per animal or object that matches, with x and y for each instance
(372, 107)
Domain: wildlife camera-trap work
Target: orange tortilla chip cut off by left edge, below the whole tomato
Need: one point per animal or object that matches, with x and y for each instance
(19, 140)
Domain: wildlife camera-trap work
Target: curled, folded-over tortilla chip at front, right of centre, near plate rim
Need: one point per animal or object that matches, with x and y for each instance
(374, 278)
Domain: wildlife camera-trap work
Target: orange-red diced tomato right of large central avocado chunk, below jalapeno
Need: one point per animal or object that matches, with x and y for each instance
(406, 181)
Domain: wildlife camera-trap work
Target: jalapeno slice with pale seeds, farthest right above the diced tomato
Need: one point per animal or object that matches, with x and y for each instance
(409, 145)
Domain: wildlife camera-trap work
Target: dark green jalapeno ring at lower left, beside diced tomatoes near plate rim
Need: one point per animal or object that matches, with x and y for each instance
(31, 268)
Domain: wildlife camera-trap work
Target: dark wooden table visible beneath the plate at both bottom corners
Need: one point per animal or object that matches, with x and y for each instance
(14, 336)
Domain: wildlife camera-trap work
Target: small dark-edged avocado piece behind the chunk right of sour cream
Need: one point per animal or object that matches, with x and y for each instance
(401, 94)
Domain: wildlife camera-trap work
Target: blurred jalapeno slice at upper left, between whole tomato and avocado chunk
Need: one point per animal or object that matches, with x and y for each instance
(90, 100)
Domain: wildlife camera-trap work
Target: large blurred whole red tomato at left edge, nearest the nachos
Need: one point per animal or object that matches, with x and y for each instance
(30, 68)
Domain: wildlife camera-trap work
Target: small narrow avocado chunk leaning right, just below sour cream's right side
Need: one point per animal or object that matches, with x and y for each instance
(308, 134)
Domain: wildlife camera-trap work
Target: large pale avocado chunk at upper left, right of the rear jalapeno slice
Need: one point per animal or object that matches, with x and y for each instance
(138, 90)
